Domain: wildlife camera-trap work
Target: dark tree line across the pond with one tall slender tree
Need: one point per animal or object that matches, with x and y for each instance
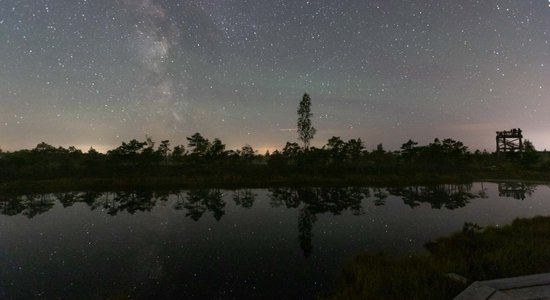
(211, 158)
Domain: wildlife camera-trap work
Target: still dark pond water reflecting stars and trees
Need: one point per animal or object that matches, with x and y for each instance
(229, 244)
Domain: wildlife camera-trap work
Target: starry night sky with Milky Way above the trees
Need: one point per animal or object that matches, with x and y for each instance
(99, 72)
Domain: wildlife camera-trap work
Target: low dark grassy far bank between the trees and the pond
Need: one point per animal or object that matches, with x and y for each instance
(259, 181)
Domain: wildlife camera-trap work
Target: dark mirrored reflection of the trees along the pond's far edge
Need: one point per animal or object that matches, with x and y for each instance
(309, 202)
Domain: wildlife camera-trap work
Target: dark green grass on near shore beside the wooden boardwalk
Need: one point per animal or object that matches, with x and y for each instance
(521, 248)
